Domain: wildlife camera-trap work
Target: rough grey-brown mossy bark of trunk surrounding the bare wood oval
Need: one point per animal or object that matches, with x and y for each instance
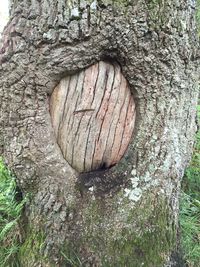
(126, 215)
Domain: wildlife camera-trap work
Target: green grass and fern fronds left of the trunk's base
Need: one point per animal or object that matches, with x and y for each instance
(10, 213)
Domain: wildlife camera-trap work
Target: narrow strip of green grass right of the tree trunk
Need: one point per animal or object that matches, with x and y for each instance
(190, 208)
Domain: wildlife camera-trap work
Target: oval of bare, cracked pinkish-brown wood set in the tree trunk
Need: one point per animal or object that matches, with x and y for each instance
(93, 116)
